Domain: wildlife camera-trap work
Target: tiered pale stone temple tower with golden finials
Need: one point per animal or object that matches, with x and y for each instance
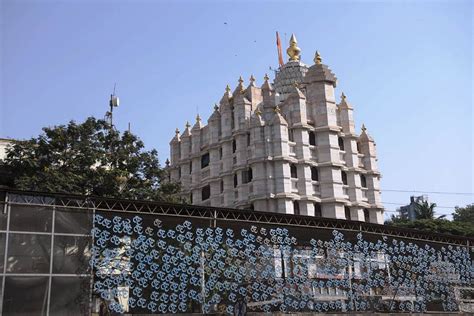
(285, 147)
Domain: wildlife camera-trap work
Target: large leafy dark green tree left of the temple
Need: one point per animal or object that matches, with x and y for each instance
(89, 158)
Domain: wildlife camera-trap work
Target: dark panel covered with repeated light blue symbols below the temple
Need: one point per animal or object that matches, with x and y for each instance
(154, 269)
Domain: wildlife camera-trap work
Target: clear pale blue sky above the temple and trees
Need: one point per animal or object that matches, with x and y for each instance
(406, 66)
